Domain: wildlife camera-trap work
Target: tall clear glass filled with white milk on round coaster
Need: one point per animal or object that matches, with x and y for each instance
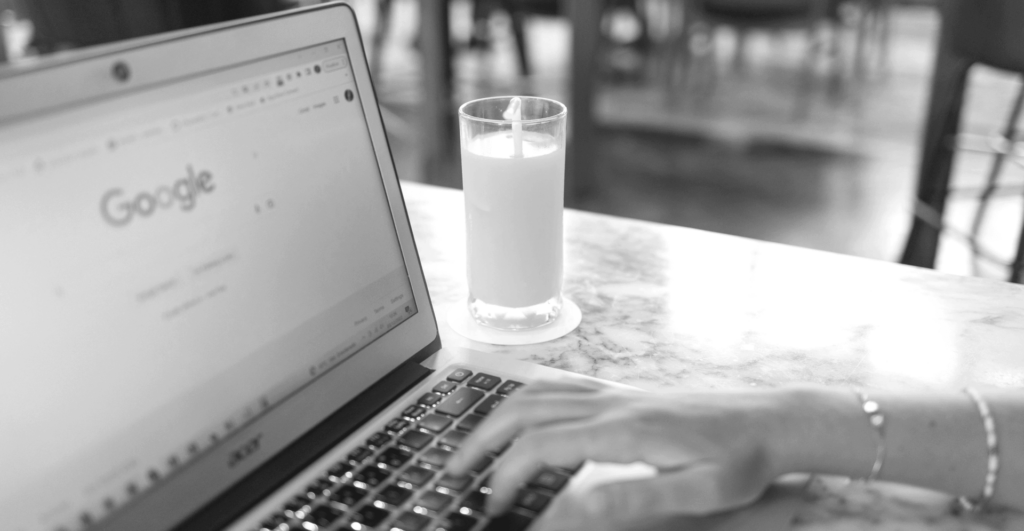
(514, 174)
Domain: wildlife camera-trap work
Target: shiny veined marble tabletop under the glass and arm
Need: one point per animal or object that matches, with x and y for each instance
(668, 307)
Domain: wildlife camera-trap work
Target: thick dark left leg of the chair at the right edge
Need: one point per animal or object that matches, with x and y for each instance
(937, 157)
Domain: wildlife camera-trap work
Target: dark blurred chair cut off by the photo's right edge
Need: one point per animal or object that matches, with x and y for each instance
(990, 32)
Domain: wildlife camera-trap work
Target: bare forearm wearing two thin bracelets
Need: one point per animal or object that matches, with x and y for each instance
(934, 440)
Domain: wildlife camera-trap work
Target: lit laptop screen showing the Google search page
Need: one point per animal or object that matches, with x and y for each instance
(186, 255)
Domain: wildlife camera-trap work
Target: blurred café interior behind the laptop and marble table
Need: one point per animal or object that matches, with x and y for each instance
(815, 123)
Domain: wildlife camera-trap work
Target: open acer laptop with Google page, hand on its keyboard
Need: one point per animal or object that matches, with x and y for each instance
(212, 313)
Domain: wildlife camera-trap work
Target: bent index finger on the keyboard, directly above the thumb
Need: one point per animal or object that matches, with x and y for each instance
(566, 446)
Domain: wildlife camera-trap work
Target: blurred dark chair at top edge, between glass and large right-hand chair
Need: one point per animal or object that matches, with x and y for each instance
(703, 18)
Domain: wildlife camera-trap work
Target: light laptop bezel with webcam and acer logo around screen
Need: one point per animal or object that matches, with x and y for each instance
(78, 78)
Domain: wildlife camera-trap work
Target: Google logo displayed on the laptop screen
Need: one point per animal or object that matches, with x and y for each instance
(119, 209)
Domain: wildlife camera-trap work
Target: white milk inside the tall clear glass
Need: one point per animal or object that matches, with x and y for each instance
(515, 218)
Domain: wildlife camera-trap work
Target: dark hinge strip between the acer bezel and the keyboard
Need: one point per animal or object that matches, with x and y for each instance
(251, 491)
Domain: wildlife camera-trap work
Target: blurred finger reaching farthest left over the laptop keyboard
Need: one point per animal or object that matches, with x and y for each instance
(519, 414)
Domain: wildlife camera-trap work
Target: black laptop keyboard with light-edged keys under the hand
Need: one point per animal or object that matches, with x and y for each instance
(397, 479)
